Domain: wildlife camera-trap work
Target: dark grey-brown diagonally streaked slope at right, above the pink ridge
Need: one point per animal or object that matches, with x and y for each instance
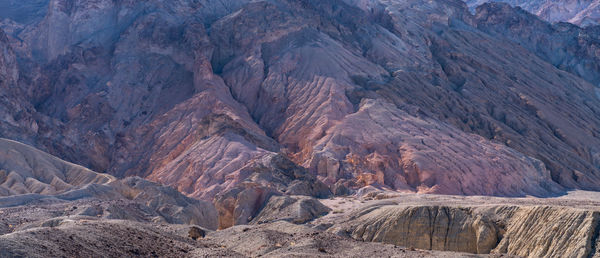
(460, 74)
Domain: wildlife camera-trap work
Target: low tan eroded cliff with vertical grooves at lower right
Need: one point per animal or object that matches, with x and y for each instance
(514, 229)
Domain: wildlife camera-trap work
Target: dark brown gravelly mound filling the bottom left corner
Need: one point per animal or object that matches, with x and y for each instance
(89, 238)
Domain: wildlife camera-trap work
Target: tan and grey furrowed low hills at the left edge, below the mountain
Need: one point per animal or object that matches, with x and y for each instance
(30, 176)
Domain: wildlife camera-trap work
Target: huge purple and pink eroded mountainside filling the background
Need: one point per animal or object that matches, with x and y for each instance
(416, 96)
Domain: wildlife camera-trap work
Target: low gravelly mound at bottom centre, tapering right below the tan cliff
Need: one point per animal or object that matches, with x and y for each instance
(284, 239)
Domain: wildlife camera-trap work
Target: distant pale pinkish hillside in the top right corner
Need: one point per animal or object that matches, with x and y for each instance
(584, 13)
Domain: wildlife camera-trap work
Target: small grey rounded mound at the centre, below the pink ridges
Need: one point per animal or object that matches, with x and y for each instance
(295, 209)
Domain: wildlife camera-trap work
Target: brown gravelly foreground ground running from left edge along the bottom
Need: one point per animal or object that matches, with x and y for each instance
(48, 230)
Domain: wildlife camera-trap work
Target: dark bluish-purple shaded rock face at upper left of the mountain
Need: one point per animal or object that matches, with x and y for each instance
(119, 66)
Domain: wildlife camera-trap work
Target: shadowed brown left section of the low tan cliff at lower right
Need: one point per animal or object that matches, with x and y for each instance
(430, 228)
